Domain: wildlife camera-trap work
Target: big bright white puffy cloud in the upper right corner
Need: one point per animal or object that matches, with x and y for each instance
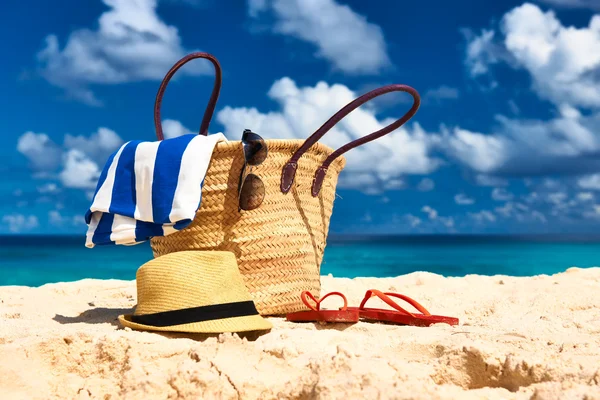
(563, 61)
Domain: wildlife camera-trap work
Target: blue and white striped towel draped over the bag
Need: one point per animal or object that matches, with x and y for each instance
(149, 189)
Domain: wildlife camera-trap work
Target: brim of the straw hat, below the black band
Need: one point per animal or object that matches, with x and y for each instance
(236, 324)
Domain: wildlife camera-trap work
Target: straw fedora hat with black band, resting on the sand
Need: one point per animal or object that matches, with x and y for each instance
(193, 291)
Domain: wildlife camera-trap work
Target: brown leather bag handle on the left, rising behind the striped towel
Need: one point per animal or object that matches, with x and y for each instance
(210, 107)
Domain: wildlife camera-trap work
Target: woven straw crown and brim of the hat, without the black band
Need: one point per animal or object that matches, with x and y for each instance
(193, 279)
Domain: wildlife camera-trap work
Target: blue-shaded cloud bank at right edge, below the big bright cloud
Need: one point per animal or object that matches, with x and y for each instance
(565, 144)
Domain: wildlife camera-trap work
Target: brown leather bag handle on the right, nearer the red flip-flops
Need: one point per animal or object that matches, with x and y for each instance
(289, 169)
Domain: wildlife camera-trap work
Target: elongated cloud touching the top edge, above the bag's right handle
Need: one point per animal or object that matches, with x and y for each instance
(343, 37)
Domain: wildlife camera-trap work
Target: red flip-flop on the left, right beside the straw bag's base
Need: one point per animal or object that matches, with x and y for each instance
(344, 314)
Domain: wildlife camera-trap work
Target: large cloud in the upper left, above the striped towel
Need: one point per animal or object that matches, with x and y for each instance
(130, 44)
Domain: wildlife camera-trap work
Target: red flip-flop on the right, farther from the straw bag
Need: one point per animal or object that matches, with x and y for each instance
(399, 315)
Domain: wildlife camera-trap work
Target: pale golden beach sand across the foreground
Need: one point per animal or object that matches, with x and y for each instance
(518, 338)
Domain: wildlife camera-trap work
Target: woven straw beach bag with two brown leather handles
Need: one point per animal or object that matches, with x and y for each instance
(279, 245)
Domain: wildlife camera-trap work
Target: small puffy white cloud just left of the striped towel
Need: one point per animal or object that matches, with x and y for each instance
(79, 171)
